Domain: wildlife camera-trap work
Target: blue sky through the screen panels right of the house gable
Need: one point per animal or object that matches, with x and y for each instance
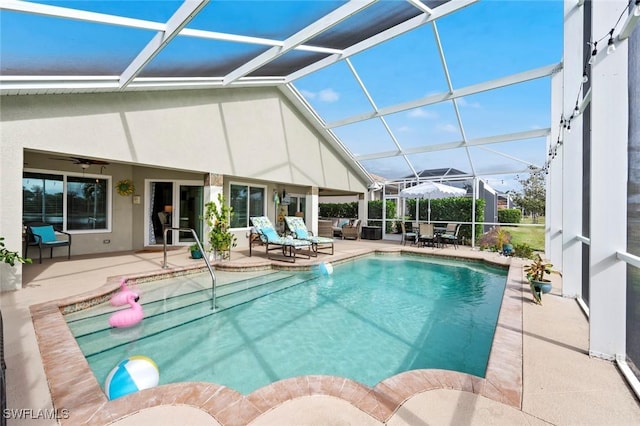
(485, 41)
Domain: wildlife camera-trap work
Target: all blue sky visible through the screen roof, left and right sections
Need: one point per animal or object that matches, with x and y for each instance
(487, 40)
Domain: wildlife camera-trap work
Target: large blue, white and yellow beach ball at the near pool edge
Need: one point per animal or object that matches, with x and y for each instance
(131, 375)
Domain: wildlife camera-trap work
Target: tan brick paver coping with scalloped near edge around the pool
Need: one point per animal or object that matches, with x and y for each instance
(74, 387)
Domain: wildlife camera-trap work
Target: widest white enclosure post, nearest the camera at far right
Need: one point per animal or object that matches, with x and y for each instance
(608, 205)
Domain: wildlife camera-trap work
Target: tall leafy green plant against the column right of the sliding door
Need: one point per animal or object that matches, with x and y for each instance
(218, 216)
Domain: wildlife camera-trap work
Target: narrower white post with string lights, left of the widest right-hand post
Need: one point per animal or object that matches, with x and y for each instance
(571, 151)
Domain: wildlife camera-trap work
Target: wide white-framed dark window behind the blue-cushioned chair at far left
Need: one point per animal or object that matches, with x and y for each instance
(72, 202)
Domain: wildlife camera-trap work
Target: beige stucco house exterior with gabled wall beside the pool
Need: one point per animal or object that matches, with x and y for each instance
(179, 148)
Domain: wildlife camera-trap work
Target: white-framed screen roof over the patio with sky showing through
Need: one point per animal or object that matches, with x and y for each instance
(405, 85)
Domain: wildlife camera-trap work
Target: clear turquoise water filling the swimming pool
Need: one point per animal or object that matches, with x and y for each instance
(372, 318)
